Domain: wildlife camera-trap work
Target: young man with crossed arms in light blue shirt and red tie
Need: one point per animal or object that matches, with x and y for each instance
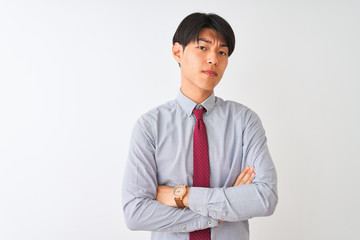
(192, 161)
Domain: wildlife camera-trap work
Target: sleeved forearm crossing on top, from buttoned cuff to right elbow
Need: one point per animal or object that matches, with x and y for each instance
(234, 203)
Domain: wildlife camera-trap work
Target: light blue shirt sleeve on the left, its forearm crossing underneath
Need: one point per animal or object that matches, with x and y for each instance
(139, 188)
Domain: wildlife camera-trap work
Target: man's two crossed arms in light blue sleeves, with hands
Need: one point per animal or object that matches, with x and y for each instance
(146, 205)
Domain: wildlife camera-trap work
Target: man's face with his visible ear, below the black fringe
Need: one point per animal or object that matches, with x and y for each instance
(203, 63)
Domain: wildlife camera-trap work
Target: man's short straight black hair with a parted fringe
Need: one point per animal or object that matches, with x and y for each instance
(190, 27)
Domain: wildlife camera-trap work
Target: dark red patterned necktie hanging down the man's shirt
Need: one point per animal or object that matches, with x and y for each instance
(201, 176)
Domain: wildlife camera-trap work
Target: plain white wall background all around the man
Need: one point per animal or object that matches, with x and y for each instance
(75, 76)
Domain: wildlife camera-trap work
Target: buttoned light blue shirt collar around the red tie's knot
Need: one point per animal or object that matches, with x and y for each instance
(188, 105)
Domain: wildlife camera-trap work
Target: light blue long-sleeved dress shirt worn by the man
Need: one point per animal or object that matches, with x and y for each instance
(161, 153)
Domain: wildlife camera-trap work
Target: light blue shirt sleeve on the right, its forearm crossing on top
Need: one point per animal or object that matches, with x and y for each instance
(244, 201)
